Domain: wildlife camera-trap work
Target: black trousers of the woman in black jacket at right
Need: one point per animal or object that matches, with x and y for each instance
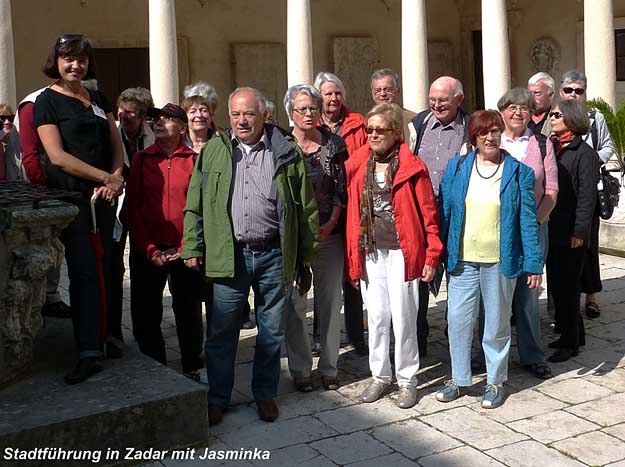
(564, 273)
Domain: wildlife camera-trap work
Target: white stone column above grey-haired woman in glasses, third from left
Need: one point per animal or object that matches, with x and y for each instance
(298, 43)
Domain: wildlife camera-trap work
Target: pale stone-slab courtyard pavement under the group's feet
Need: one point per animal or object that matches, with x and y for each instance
(575, 419)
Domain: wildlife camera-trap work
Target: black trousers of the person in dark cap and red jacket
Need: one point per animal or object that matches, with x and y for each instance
(187, 288)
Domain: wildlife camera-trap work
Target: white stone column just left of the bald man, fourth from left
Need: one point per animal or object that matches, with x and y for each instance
(414, 54)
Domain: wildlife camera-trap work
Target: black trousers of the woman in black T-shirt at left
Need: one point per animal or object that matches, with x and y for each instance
(82, 269)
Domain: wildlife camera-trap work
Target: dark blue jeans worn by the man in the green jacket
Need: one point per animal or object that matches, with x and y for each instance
(261, 270)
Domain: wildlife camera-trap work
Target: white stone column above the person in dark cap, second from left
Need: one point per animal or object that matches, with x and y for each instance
(163, 52)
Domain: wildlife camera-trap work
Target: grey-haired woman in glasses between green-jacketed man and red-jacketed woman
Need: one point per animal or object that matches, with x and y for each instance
(325, 155)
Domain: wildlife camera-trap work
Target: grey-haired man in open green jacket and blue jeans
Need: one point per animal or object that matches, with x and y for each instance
(250, 221)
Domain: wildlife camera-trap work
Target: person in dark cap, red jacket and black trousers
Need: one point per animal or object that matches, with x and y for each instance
(157, 192)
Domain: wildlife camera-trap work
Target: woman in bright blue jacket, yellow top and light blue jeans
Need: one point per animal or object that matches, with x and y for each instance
(489, 228)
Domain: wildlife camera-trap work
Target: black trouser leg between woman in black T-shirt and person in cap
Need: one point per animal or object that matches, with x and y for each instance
(116, 290)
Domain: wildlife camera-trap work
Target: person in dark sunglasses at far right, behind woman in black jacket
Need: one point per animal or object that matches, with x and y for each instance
(573, 86)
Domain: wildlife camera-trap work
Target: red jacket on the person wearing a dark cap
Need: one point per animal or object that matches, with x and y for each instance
(156, 194)
